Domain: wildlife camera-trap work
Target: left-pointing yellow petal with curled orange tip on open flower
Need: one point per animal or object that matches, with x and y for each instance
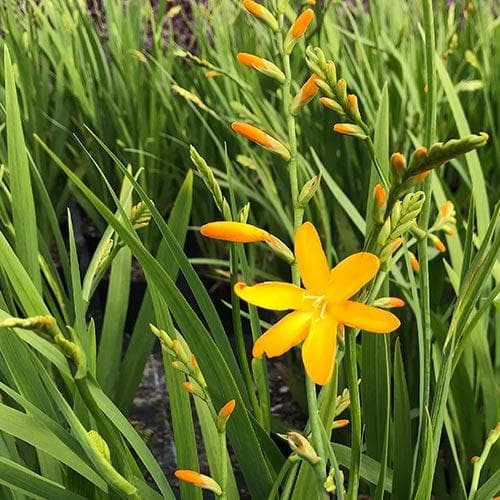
(271, 295)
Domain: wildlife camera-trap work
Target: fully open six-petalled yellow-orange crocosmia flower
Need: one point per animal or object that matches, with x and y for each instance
(318, 308)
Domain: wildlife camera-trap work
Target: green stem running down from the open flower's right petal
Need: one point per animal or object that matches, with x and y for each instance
(352, 378)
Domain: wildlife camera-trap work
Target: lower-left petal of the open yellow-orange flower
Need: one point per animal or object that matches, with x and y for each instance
(282, 336)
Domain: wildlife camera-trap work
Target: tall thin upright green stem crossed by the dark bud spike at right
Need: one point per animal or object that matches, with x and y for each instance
(430, 133)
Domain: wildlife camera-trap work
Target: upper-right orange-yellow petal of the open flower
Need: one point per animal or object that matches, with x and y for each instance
(351, 274)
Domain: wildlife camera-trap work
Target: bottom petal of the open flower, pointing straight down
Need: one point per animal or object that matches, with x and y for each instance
(319, 349)
